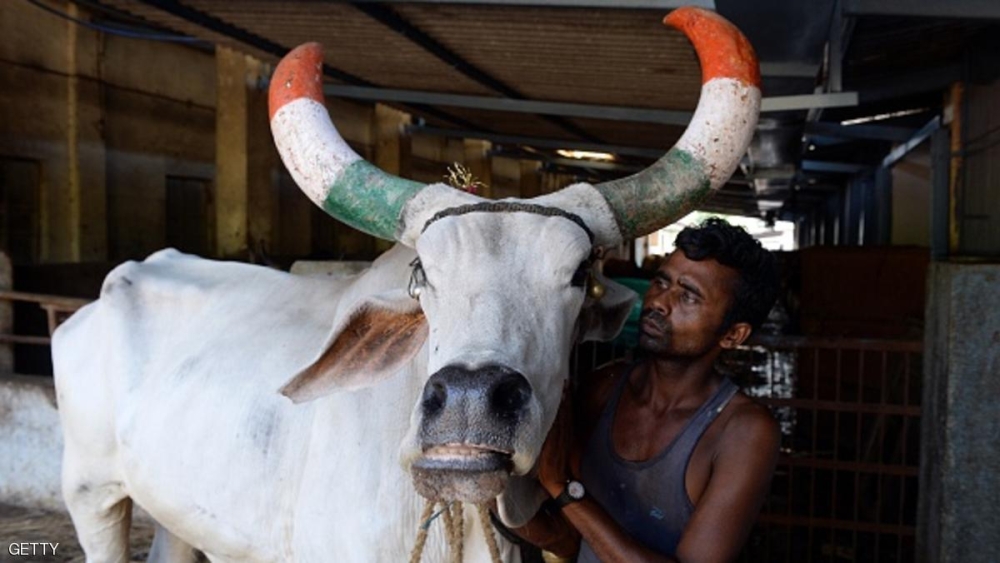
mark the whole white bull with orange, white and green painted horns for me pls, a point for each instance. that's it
(441, 373)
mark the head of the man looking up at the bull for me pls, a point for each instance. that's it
(713, 291)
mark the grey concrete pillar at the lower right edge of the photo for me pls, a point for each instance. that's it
(957, 518)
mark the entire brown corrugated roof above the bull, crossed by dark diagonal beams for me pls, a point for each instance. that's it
(606, 57)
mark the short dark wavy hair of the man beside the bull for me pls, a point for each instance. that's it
(757, 287)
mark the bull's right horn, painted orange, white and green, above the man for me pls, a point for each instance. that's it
(715, 140)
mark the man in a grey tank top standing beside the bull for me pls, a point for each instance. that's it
(670, 462)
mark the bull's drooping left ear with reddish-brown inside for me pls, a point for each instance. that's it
(374, 340)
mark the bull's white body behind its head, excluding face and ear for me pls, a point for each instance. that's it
(202, 439)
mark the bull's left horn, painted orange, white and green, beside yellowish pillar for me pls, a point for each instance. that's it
(325, 168)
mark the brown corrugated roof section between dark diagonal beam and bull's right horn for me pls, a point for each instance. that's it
(609, 57)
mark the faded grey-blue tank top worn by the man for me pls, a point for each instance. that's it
(647, 498)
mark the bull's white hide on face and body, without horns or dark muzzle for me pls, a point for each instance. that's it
(168, 390)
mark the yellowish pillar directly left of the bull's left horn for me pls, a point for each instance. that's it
(245, 197)
